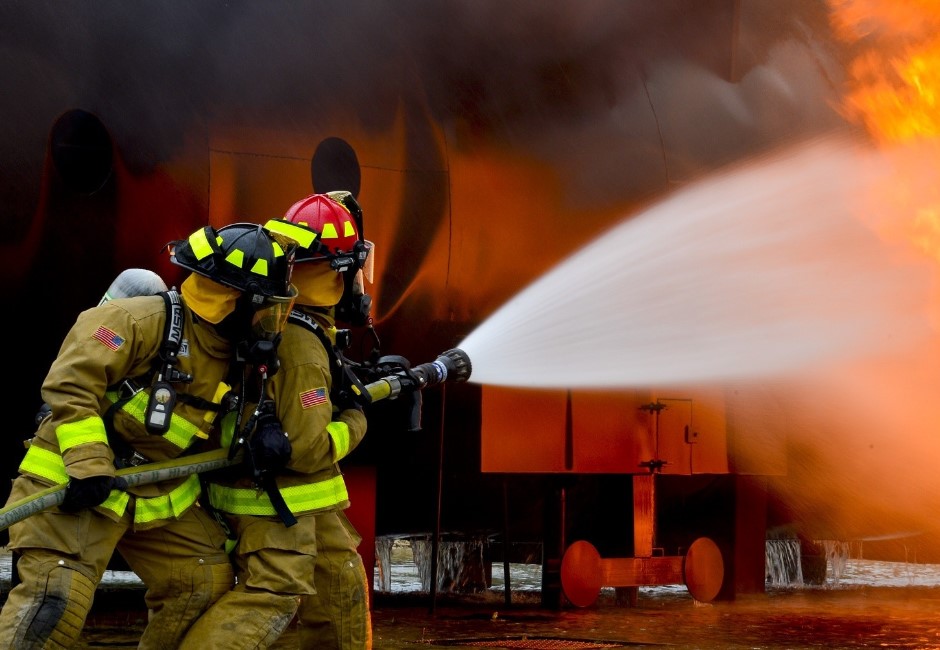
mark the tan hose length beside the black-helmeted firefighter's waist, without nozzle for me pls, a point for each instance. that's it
(141, 475)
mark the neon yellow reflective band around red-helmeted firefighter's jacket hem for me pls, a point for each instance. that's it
(299, 498)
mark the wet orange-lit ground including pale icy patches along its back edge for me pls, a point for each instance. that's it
(868, 605)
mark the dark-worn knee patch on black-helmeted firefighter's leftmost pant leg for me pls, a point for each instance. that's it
(58, 615)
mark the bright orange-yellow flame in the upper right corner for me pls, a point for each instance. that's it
(892, 91)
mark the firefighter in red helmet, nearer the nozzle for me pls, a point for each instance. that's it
(310, 551)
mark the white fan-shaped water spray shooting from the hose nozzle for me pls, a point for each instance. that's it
(766, 268)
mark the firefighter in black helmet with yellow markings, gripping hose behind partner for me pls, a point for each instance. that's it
(140, 380)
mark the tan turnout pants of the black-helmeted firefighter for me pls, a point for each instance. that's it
(62, 557)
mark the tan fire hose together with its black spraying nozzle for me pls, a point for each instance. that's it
(451, 366)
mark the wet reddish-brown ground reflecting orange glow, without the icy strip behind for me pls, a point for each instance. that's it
(853, 617)
